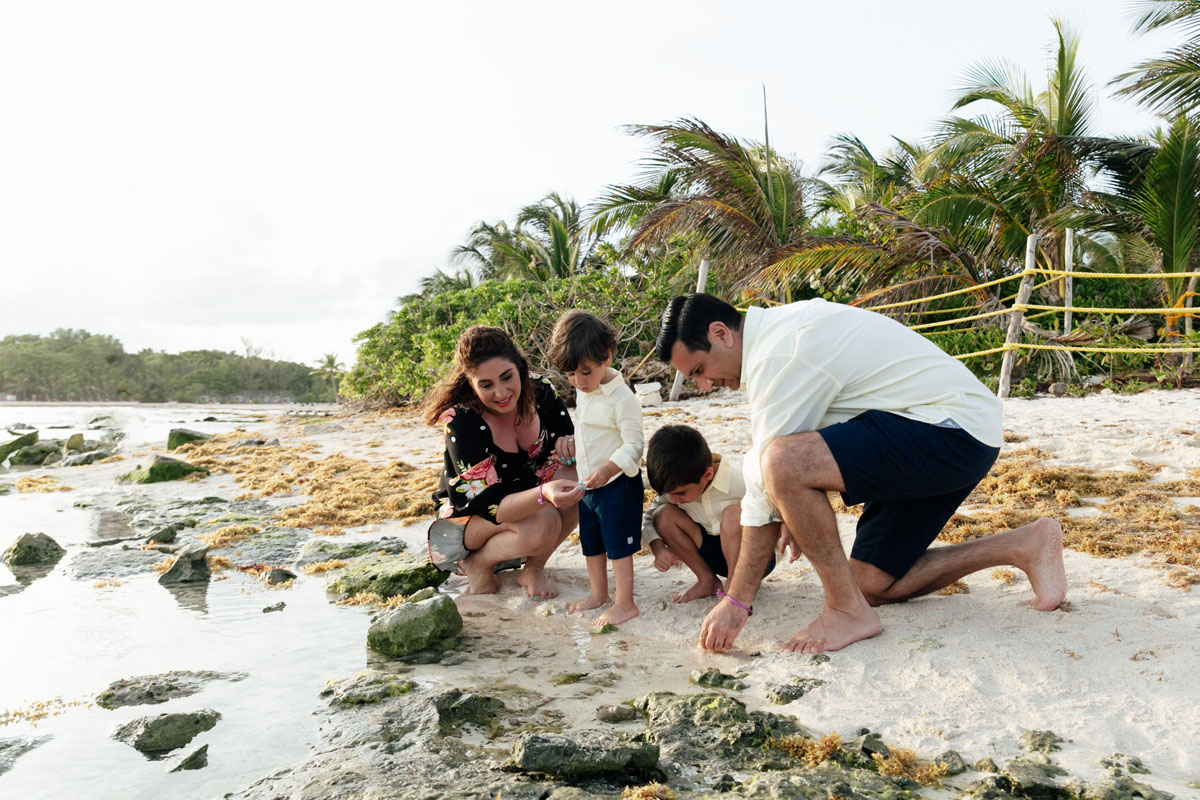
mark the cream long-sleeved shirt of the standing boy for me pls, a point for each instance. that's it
(609, 428)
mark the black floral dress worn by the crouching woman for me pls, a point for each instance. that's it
(477, 474)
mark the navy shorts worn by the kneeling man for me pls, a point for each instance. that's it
(911, 478)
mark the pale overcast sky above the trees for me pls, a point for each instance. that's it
(185, 176)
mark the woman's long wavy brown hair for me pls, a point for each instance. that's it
(477, 346)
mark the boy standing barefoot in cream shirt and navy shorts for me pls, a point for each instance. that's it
(608, 446)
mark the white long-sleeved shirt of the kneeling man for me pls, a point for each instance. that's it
(813, 364)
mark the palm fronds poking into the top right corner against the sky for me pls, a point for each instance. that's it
(1169, 85)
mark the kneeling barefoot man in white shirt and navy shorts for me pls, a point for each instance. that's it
(845, 400)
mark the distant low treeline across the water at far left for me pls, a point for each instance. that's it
(71, 365)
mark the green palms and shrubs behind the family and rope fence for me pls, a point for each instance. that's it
(1016, 157)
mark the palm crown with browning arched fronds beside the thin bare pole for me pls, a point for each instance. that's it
(740, 203)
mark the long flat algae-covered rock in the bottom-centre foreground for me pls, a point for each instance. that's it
(575, 757)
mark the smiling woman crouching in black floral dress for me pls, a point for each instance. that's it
(500, 502)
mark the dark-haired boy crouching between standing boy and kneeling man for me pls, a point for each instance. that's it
(697, 518)
